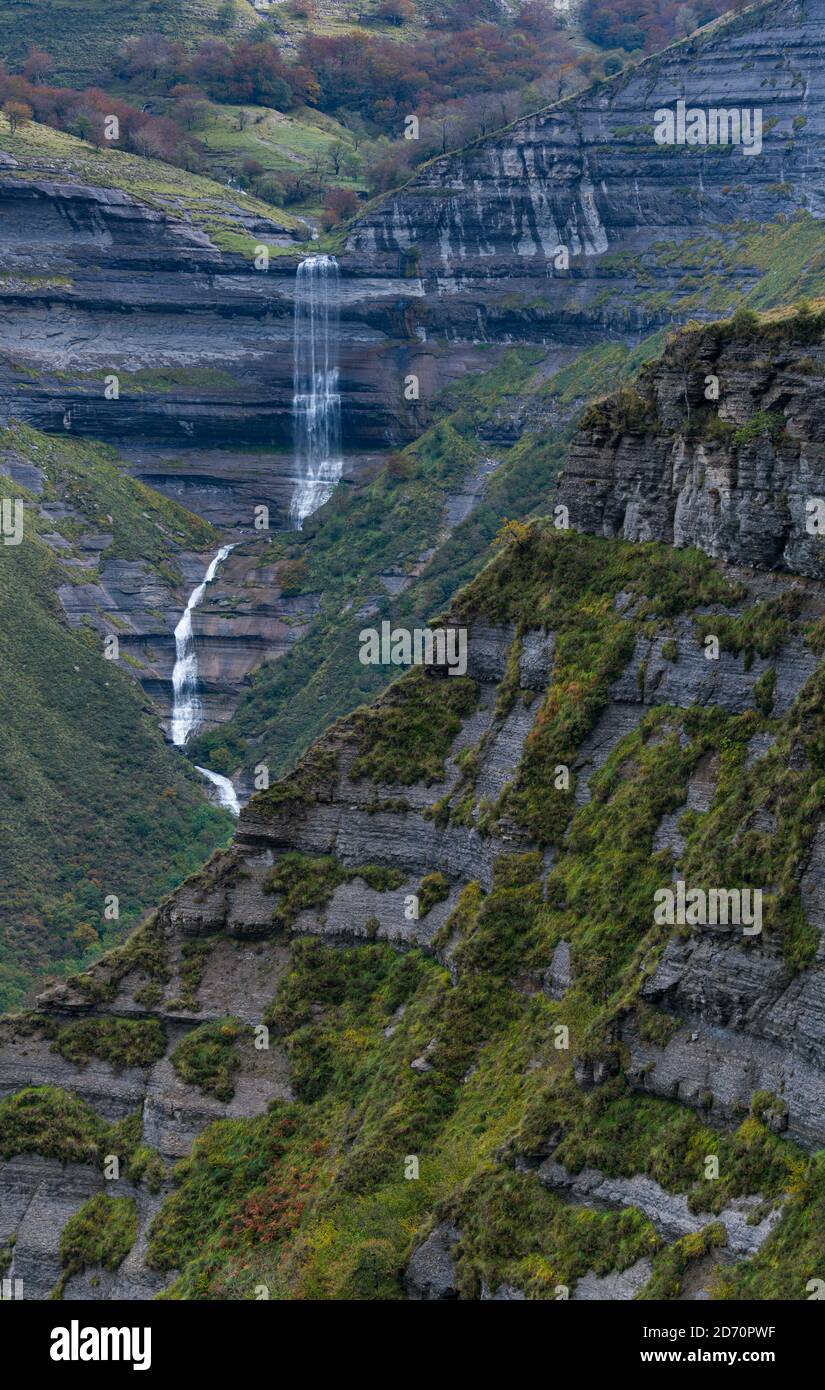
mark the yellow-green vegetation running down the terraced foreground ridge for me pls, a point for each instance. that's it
(331, 1213)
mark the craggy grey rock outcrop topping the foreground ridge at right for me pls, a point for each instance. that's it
(740, 476)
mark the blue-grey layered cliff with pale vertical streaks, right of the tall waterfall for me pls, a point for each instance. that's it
(484, 227)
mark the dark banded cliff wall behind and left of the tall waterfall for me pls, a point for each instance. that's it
(97, 283)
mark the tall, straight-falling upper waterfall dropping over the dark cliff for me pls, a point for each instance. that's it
(316, 402)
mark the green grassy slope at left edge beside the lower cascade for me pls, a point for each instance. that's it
(92, 801)
